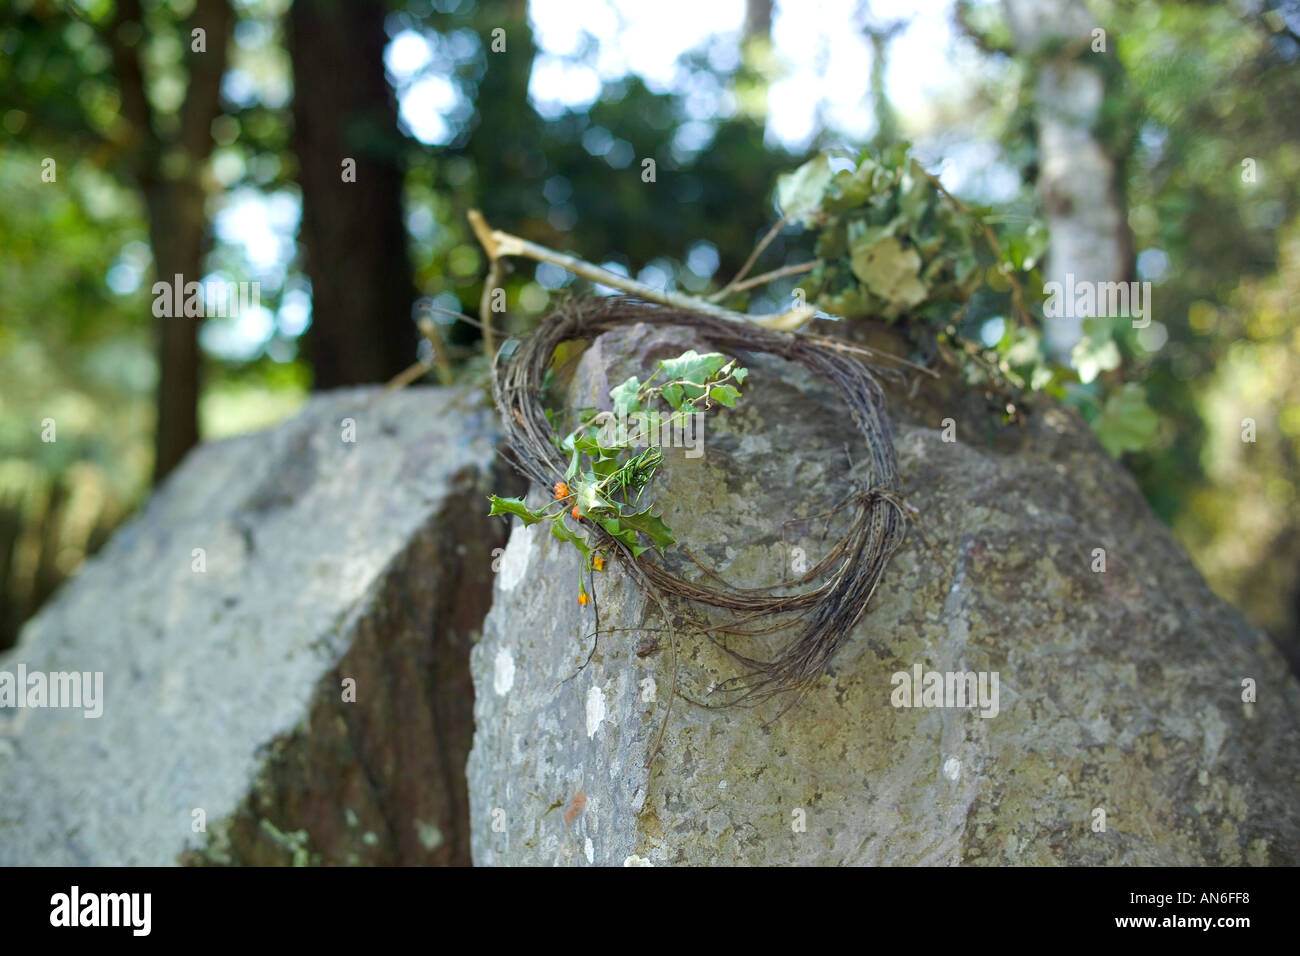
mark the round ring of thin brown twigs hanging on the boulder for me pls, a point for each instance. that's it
(848, 576)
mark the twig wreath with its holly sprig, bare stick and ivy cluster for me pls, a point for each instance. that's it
(891, 244)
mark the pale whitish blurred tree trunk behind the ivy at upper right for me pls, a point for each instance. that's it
(1081, 172)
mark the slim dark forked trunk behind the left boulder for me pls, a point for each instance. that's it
(170, 174)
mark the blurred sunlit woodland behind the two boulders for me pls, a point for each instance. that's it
(1168, 146)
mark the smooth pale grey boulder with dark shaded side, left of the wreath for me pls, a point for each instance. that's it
(324, 560)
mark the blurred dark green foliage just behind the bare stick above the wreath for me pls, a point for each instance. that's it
(573, 179)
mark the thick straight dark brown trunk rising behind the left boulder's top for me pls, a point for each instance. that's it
(354, 233)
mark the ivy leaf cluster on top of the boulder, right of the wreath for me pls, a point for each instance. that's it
(894, 245)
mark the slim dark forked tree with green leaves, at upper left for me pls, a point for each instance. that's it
(163, 153)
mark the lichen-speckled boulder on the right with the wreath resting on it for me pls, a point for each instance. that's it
(1124, 733)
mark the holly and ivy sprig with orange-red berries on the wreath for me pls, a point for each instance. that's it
(605, 479)
